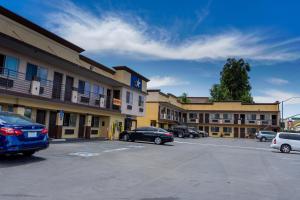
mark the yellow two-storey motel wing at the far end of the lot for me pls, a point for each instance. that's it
(219, 119)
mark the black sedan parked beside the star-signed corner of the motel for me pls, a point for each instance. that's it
(151, 134)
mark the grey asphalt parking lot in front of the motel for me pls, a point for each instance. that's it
(205, 168)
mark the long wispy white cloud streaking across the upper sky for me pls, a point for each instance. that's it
(131, 36)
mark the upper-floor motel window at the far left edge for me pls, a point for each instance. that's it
(9, 66)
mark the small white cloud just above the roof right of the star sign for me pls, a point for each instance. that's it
(163, 81)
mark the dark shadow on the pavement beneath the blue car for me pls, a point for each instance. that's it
(18, 159)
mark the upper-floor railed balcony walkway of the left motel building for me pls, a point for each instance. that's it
(15, 82)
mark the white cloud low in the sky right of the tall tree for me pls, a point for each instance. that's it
(274, 95)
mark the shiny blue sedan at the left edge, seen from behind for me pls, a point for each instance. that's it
(19, 134)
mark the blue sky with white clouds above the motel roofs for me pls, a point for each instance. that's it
(182, 46)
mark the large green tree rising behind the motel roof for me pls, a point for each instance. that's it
(234, 82)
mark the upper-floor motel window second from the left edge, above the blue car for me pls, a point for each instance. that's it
(36, 72)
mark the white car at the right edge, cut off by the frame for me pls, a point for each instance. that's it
(286, 142)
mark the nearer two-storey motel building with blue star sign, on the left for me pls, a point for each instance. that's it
(46, 78)
